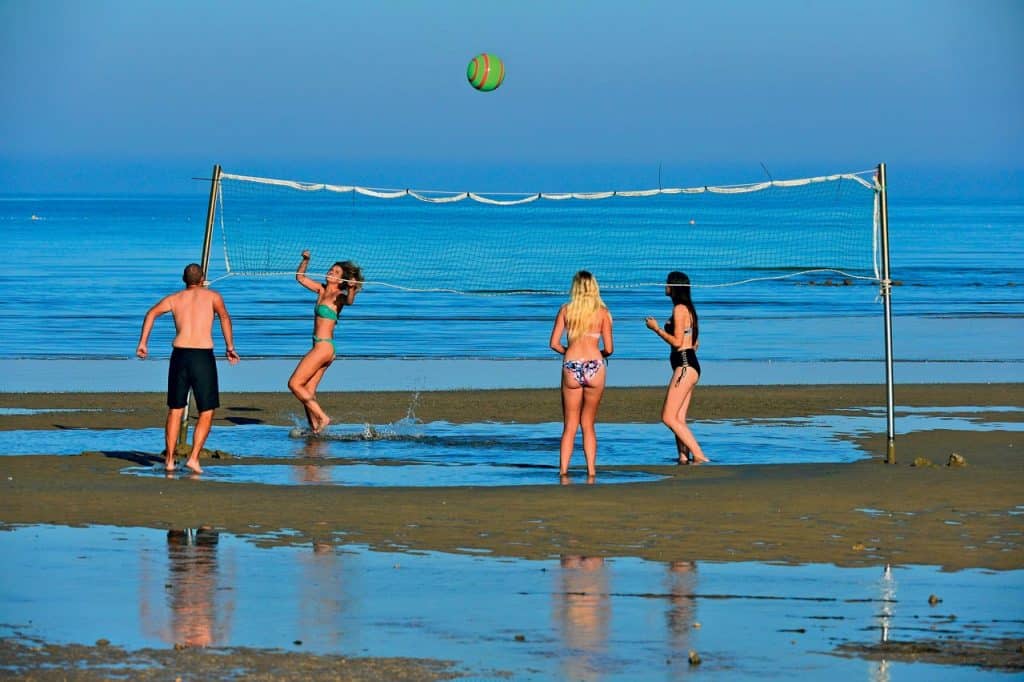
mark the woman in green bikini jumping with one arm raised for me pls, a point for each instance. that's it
(345, 281)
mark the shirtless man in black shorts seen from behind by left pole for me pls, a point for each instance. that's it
(193, 365)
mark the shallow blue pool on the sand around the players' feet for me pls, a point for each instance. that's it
(442, 454)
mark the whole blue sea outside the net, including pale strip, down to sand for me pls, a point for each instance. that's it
(80, 272)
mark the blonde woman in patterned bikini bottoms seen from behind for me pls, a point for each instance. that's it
(586, 323)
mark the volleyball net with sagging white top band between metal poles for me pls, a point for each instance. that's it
(474, 243)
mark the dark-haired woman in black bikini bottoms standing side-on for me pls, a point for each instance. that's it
(680, 333)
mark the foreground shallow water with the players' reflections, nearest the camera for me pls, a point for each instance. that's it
(568, 618)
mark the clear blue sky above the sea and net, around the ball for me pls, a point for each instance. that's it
(142, 96)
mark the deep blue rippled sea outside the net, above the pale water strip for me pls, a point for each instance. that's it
(79, 274)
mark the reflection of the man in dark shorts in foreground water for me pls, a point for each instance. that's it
(193, 565)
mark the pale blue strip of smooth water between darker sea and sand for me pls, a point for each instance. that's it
(349, 374)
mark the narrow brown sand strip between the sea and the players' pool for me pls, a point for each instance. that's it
(526, 406)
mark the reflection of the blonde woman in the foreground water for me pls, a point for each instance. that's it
(582, 612)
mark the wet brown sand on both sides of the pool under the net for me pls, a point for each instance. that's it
(863, 514)
